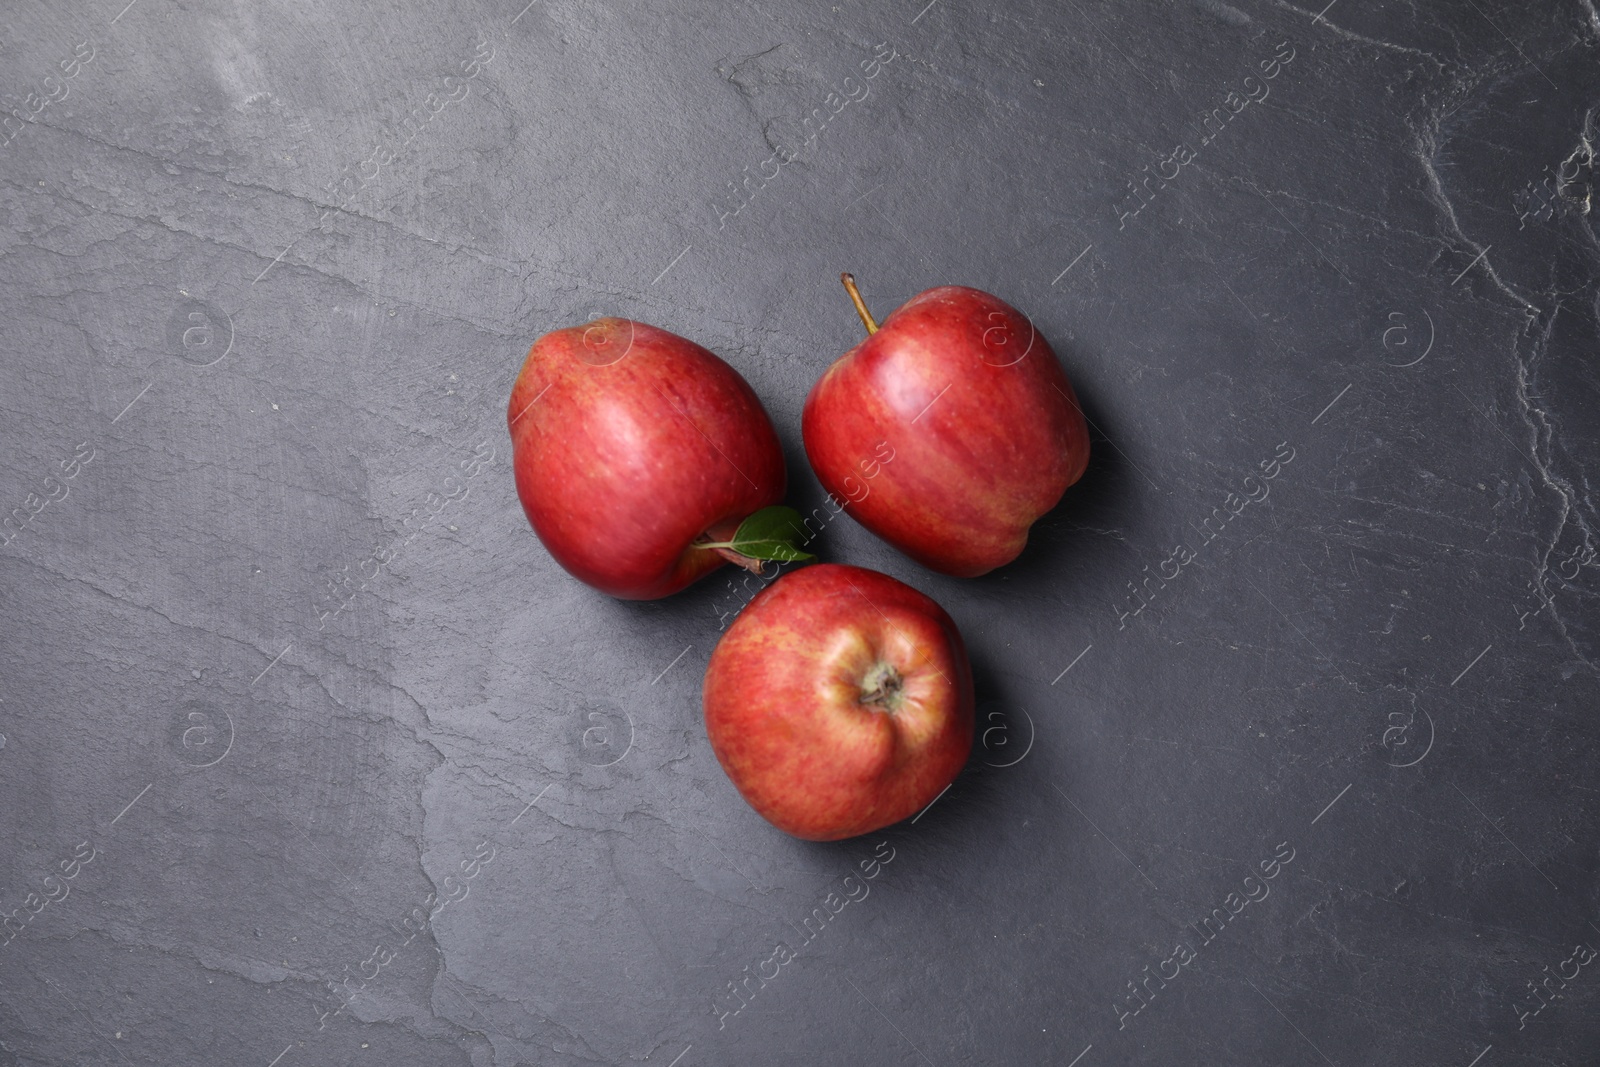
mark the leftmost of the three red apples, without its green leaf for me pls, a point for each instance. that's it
(633, 449)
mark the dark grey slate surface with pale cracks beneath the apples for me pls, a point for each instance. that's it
(244, 351)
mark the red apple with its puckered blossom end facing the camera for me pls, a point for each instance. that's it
(841, 701)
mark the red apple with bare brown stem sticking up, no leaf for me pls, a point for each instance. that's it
(983, 423)
